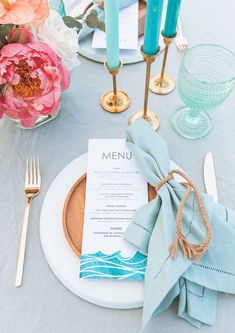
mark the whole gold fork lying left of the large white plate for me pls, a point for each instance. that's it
(32, 188)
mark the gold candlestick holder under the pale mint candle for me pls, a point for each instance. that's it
(114, 101)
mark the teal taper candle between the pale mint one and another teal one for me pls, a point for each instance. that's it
(152, 26)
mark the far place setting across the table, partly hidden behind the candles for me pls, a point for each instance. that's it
(131, 29)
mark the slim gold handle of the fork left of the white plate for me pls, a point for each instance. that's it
(20, 264)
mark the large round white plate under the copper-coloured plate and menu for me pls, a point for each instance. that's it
(64, 262)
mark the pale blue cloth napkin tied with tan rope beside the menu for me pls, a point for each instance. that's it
(153, 230)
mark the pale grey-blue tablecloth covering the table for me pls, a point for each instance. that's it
(43, 304)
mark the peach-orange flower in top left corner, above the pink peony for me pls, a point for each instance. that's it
(23, 11)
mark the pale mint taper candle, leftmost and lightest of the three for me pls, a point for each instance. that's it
(111, 9)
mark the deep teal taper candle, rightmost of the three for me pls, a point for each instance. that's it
(172, 14)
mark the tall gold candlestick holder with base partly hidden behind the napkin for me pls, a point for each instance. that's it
(151, 117)
